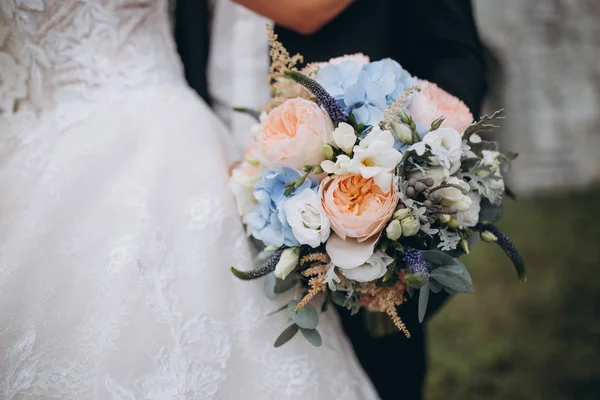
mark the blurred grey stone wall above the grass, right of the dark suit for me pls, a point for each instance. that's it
(548, 81)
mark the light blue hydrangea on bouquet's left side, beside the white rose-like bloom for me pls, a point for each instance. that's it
(267, 222)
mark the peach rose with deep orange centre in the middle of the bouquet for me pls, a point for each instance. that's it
(357, 207)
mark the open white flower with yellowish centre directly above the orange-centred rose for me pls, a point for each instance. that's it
(375, 157)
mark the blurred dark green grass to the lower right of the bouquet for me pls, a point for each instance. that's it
(534, 340)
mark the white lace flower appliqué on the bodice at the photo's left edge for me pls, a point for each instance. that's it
(13, 83)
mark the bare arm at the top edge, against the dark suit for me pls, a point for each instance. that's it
(303, 16)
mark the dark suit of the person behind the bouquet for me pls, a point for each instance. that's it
(433, 39)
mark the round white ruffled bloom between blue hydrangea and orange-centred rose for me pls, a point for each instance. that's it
(305, 215)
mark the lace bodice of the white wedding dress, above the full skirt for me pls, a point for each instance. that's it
(54, 53)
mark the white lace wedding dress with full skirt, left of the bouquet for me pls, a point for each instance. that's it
(117, 230)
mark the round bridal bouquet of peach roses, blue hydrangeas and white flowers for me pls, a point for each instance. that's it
(366, 184)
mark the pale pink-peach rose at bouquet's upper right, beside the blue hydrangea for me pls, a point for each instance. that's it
(433, 102)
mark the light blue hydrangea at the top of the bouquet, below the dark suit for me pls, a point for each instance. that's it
(365, 91)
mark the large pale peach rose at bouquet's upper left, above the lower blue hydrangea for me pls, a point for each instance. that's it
(292, 135)
